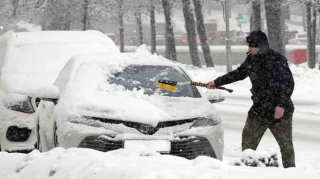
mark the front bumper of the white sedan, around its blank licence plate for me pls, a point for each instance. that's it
(189, 143)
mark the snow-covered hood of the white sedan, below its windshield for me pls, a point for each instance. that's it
(138, 107)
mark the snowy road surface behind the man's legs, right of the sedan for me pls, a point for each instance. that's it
(306, 125)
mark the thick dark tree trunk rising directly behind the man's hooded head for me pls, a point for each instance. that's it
(274, 26)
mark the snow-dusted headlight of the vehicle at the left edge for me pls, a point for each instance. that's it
(18, 102)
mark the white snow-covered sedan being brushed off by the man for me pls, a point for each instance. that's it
(111, 101)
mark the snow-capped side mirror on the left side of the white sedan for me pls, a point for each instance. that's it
(48, 93)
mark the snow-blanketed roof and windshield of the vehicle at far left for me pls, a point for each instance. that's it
(30, 60)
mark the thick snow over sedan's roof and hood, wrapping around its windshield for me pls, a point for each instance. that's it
(85, 90)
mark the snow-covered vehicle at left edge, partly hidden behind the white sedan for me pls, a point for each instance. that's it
(29, 60)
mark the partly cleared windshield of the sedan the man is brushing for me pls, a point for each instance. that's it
(147, 77)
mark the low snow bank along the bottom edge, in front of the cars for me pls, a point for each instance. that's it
(130, 164)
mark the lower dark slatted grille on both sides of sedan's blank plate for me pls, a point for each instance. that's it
(187, 147)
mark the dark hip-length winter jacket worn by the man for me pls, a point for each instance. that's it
(272, 83)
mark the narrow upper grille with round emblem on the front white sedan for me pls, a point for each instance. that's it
(145, 128)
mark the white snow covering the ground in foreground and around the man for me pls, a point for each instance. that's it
(130, 164)
